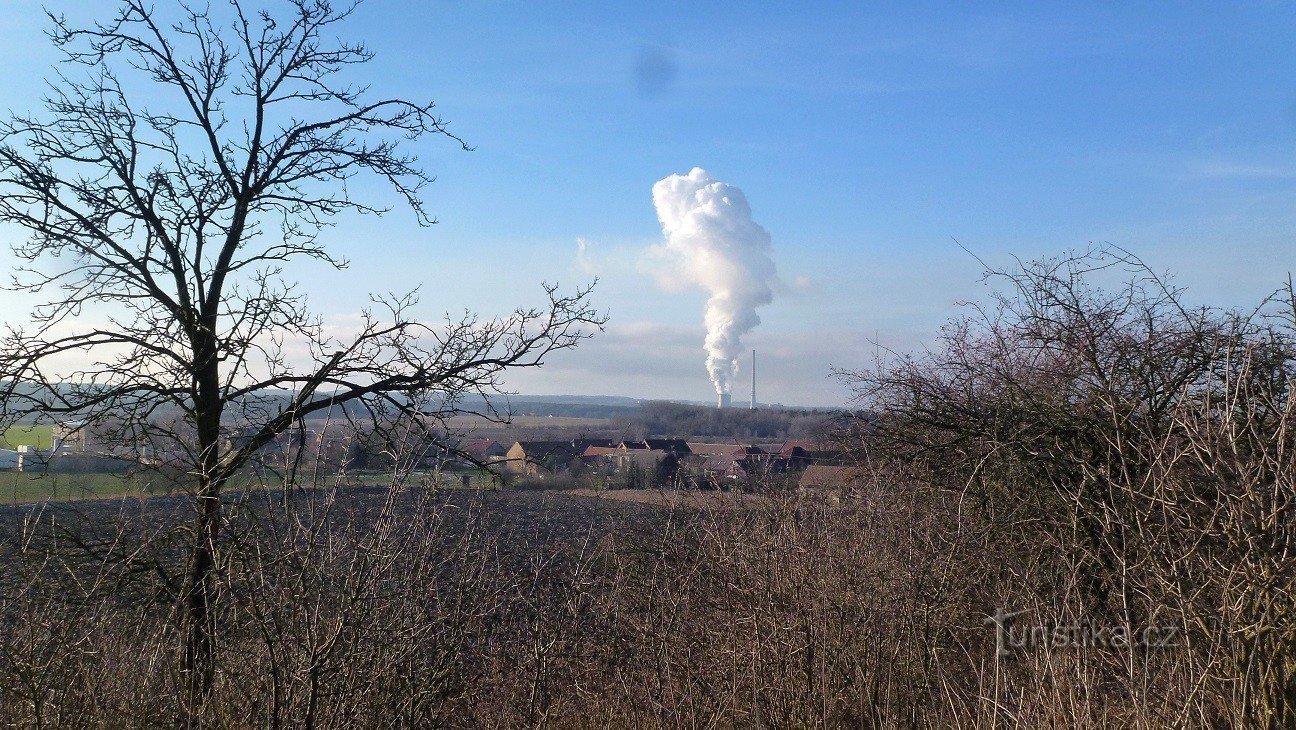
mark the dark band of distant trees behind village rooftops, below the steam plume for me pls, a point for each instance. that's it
(680, 419)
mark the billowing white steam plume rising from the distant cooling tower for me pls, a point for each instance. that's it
(713, 243)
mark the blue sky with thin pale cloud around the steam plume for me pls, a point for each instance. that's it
(868, 138)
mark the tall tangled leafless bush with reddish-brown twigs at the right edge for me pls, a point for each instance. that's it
(1129, 458)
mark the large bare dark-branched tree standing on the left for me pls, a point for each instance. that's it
(183, 160)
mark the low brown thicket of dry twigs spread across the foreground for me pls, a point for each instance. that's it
(410, 609)
